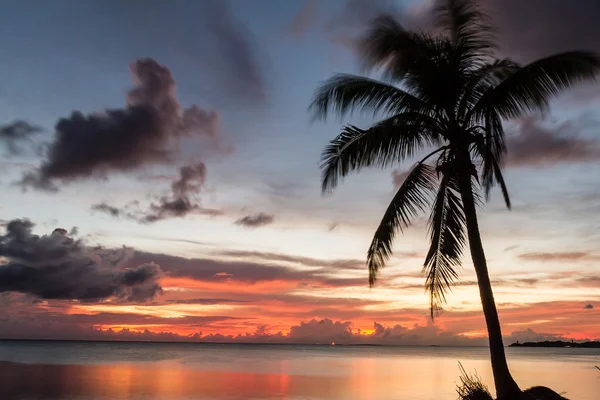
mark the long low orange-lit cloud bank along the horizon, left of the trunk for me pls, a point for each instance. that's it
(87, 326)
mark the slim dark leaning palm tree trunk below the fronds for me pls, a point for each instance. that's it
(506, 387)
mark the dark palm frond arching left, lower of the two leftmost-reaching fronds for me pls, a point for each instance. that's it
(387, 142)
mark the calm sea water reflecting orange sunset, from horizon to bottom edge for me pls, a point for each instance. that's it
(156, 371)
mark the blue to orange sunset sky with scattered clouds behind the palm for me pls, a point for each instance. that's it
(160, 179)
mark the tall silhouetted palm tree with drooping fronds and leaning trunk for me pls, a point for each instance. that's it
(447, 92)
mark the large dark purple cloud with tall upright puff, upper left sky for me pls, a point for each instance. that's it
(146, 131)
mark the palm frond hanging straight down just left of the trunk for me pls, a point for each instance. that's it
(446, 229)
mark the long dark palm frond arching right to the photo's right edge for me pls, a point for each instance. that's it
(533, 86)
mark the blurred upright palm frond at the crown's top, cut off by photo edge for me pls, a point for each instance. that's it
(467, 25)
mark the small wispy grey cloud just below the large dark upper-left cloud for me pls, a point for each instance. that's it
(182, 201)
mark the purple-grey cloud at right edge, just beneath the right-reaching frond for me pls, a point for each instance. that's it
(542, 144)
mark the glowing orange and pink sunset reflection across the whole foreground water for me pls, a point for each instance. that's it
(319, 378)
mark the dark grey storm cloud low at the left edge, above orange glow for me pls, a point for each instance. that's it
(57, 267)
